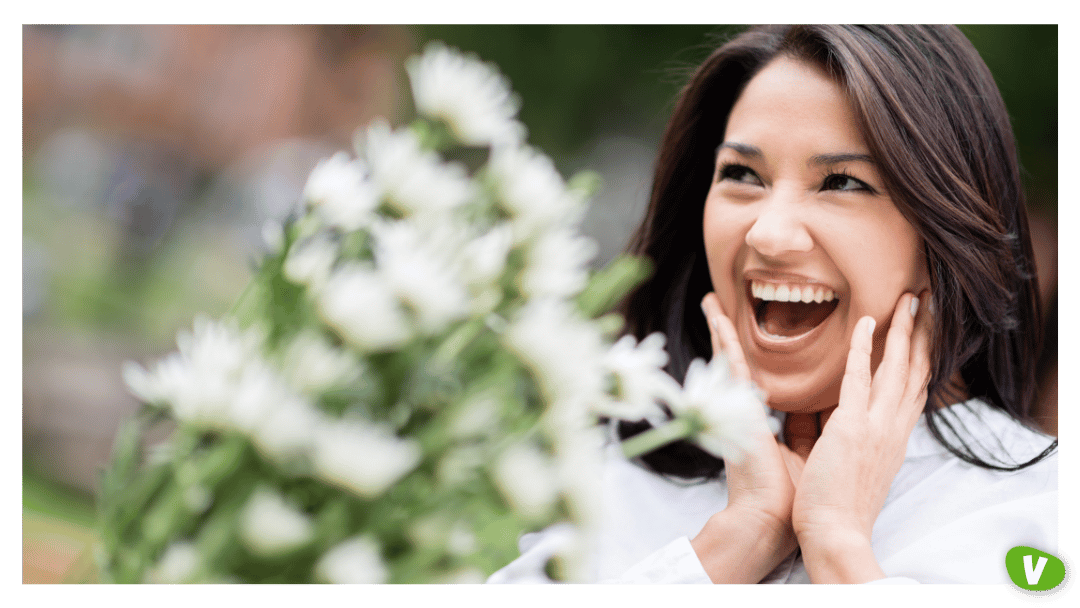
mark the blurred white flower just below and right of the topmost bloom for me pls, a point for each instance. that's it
(532, 191)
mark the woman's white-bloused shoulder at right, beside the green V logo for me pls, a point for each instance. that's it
(950, 521)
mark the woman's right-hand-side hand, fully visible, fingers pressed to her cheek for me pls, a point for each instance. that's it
(848, 474)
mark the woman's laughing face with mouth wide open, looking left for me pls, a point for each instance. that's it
(802, 238)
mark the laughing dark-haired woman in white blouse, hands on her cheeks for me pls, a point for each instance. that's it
(845, 205)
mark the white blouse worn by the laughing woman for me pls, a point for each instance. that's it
(944, 521)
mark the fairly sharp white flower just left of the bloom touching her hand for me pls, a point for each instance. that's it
(642, 381)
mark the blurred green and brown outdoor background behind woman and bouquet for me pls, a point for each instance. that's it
(154, 156)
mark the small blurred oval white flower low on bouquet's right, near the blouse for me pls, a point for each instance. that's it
(529, 479)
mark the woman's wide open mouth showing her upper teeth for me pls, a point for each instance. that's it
(791, 310)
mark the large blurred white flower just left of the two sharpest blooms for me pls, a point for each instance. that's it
(563, 349)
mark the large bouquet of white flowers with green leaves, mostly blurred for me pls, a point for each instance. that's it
(412, 381)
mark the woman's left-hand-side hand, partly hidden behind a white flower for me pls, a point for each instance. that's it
(746, 542)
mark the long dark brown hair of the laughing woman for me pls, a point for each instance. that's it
(935, 121)
